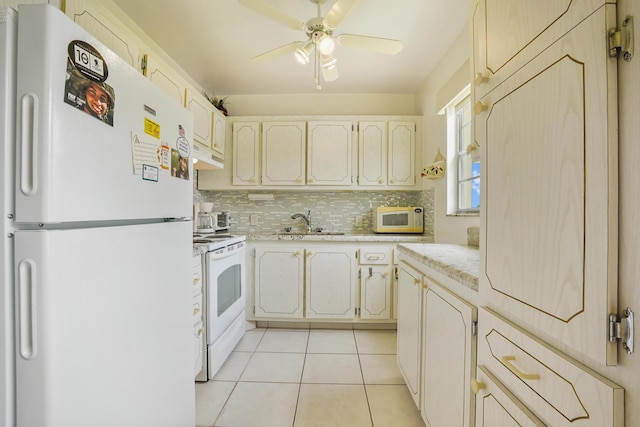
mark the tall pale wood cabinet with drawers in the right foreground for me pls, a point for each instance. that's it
(545, 99)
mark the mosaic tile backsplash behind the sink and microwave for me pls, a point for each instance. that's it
(344, 211)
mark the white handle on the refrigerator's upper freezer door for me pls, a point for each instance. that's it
(28, 142)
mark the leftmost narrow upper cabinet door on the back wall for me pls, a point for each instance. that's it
(246, 153)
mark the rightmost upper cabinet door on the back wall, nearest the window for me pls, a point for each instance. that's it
(402, 149)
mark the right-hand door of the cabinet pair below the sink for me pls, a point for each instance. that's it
(330, 283)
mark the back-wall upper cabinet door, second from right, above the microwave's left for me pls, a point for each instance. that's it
(372, 153)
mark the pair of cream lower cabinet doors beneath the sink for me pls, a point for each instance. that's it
(314, 282)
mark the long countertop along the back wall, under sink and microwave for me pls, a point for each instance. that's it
(368, 237)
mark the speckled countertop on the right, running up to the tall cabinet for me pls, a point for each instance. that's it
(459, 262)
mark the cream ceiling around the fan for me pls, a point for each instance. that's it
(214, 41)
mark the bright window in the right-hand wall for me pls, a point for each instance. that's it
(463, 182)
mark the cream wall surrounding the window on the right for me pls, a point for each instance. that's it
(438, 86)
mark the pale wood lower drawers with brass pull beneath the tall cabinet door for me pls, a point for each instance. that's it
(558, 390)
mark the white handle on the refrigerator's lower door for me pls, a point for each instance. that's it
(27, 319)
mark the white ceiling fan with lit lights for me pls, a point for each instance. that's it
(321, 40)
